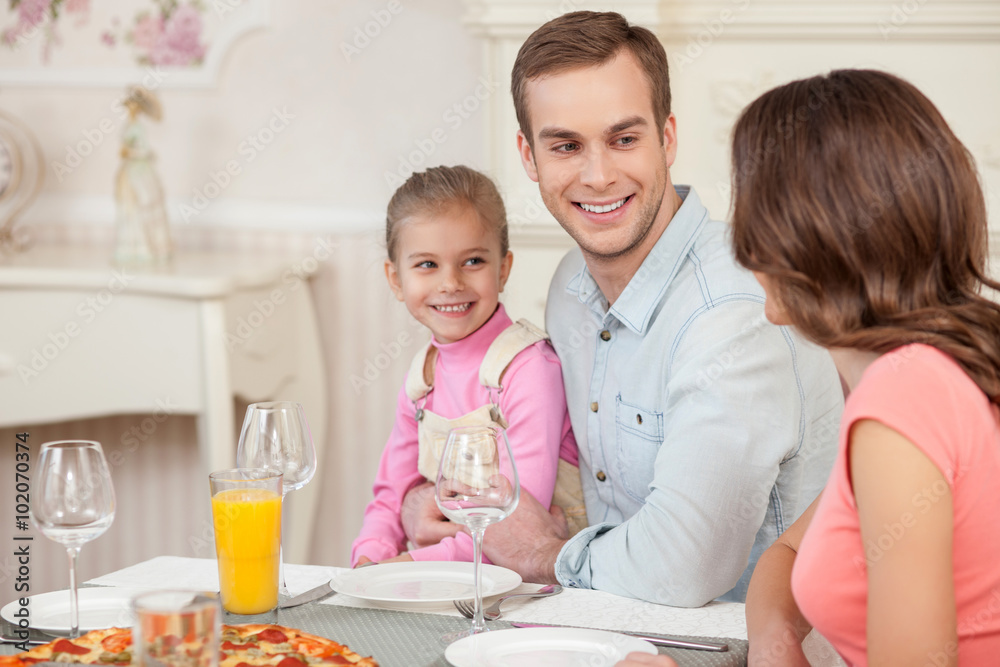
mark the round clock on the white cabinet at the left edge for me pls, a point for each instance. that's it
(22, 173)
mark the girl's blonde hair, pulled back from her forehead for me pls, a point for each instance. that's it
(440, 188)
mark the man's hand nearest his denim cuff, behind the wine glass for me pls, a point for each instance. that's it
(528, 541)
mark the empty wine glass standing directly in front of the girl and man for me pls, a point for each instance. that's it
(477, 485)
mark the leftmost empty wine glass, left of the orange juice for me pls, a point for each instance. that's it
(73, 502)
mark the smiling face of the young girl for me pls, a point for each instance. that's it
(448, 271)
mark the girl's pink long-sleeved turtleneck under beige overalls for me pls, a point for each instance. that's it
(533, 403)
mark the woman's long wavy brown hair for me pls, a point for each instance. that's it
(852, 193)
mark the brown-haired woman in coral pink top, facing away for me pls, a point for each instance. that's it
(861, 214)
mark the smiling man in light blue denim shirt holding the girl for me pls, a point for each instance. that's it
(704, 430)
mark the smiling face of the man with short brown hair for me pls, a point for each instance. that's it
(600, 161)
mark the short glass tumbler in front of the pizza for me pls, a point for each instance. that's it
(176, 628)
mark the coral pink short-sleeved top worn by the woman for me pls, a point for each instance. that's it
(921, 393)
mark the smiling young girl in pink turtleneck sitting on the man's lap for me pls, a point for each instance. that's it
(446, 234)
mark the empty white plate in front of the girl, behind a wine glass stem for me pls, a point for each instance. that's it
(429, 583)
